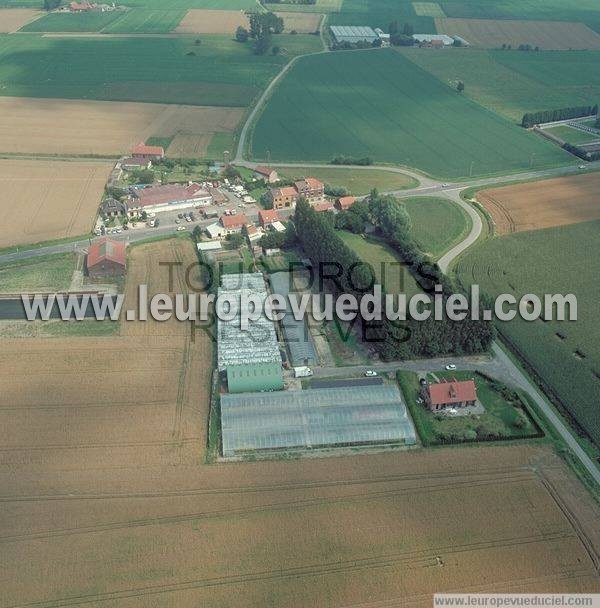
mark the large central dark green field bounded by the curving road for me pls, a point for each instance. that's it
(380, 104)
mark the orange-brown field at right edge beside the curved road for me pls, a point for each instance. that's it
(544, 204)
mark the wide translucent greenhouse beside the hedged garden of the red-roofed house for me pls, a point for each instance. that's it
(367, 415)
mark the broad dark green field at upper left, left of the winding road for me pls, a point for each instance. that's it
(218, 72)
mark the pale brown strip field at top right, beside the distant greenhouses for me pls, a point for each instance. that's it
(548, 35)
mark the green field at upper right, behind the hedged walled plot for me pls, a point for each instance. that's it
(509, 83)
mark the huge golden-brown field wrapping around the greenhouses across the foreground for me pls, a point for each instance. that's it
(106, 499)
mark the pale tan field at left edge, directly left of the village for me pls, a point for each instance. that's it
(46, 200)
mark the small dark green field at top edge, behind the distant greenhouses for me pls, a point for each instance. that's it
(380, 13)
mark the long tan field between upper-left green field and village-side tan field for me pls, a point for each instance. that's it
(71, 127)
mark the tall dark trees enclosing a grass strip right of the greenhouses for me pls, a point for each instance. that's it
(393, 340)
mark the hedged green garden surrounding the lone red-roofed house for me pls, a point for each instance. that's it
(504, 416)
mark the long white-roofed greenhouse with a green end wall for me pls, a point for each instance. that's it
(249, 358)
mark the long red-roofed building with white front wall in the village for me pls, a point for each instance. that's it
(169, 196)
